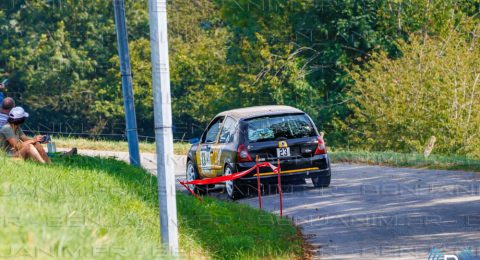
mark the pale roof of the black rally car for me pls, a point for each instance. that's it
(257, 111)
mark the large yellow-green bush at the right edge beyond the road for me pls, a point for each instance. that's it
(431, 91)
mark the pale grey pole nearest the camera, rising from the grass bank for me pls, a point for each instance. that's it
(163, 124)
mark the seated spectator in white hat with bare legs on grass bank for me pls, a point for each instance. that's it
(16, 143)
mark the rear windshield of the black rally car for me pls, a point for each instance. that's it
(277, 127)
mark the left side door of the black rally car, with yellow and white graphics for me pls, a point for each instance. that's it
(207, 152)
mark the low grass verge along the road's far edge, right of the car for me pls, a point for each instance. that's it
(407, 160)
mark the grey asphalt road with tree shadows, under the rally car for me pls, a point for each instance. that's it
(372, 212)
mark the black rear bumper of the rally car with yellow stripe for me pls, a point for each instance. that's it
(291, 169)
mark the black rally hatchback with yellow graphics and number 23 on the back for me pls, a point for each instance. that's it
(234, 138)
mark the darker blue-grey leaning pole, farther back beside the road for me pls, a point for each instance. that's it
(126, 72)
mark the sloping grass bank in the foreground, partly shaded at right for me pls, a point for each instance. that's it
(85, 207)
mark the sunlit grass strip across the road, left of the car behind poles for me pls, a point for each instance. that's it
(107, 145)
